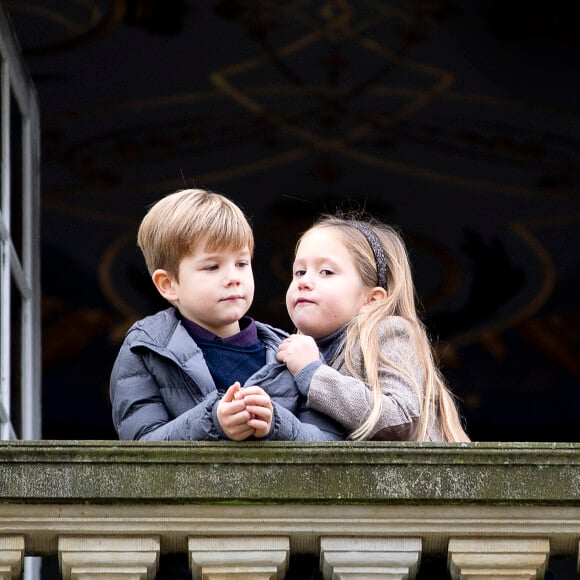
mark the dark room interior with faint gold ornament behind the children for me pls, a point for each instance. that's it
(456, 120)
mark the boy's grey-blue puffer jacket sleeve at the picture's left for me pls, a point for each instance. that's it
(139, 412)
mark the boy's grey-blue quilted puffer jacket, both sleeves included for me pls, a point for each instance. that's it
(162, 390)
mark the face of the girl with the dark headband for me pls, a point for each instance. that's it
(326, 291)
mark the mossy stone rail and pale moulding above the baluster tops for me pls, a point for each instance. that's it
(182, 492)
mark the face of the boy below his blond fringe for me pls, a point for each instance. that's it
(215, 289)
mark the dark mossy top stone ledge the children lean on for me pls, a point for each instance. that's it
(338, 473)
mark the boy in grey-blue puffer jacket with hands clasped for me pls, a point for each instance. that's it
(179, 372)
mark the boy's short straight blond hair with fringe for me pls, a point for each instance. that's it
(182, 222)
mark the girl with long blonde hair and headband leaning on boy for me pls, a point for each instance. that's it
(363, 356)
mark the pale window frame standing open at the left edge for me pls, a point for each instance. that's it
(19, 274)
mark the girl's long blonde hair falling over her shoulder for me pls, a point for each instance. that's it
(436, 399)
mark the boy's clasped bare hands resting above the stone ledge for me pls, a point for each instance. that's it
(245, 412)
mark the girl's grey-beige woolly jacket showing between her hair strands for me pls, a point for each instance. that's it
(349, 400)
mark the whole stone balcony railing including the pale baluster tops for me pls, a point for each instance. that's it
(367, 510)
